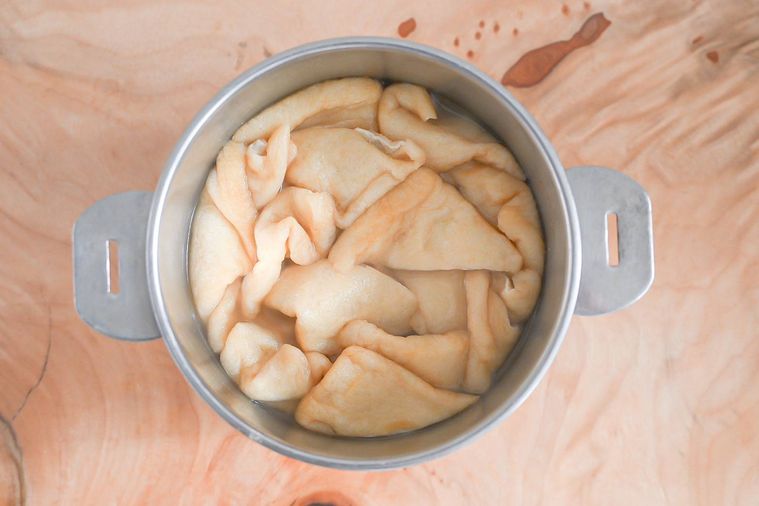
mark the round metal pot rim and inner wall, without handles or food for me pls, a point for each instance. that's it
(276, 78)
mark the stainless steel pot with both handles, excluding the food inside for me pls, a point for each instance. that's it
(152, 232)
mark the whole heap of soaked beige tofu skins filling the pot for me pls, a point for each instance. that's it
(362, 260)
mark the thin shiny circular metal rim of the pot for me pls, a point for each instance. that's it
(570, 289)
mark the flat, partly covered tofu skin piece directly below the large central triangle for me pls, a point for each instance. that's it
(441, 299)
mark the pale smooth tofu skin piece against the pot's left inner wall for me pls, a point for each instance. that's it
(217, 256)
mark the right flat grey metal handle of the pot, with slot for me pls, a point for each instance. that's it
(599, 192)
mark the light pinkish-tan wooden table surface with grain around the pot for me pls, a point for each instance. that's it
(657, 404)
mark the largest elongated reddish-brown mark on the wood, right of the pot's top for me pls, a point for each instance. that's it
(535, 65)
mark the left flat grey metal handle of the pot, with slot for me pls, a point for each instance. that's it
(110, 279)
